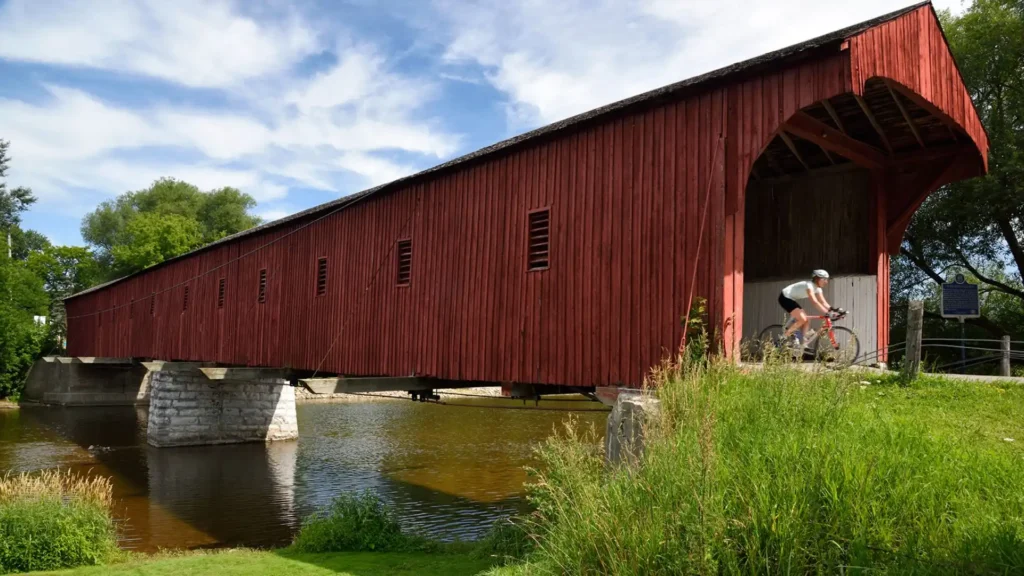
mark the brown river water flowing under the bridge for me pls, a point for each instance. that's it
(450, 472)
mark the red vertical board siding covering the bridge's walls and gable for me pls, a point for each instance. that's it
(626, 193)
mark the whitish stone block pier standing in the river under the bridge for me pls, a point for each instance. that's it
(187, 408)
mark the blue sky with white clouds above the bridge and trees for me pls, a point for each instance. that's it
(298, 103)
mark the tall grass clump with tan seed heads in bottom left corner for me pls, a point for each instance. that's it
(55, 520)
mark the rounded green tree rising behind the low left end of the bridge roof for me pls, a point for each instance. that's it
(144, 228)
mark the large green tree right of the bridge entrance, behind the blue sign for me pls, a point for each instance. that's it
(977, 227)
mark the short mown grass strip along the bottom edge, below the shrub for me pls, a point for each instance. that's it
(254, 563)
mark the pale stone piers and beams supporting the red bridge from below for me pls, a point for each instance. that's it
(194, 403)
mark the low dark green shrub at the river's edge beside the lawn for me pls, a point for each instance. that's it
(353, 523)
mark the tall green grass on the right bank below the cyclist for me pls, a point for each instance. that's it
(787, 473)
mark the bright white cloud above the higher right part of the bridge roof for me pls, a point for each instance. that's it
(558, 60)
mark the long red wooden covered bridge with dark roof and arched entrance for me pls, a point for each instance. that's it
(568, 256)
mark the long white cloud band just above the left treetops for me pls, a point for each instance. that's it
(73, 140)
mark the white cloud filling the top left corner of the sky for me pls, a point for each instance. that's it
(192, 43)
